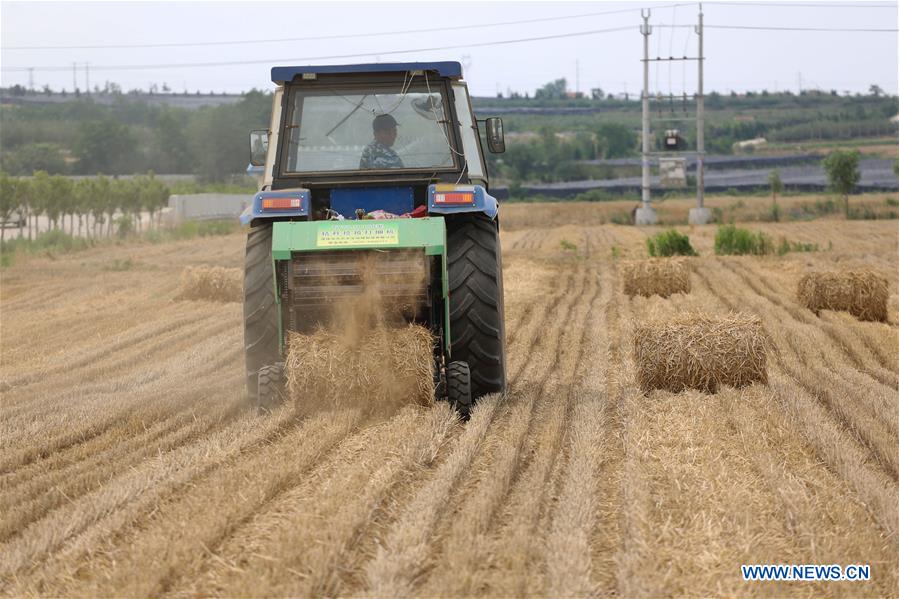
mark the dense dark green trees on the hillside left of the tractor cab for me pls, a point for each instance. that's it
(83, 137)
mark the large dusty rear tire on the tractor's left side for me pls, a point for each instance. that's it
(260, 312)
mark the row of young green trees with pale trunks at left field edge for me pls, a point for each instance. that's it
(87, 207)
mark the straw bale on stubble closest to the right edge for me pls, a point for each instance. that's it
(862, 292)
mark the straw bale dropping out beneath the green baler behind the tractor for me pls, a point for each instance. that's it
(377, 367)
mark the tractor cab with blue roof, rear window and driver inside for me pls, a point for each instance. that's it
(368, 138)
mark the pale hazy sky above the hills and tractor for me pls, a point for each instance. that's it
(736, 59)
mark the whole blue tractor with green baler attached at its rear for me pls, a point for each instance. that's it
(378, 165)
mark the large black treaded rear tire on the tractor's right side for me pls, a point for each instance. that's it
(477, 327)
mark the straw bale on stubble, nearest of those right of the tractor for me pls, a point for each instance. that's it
(695, 351)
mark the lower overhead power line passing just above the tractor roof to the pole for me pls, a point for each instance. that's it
(332, 57)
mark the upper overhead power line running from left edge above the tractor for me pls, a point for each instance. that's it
(336, 37)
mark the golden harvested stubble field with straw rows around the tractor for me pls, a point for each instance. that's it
(129, 468)
